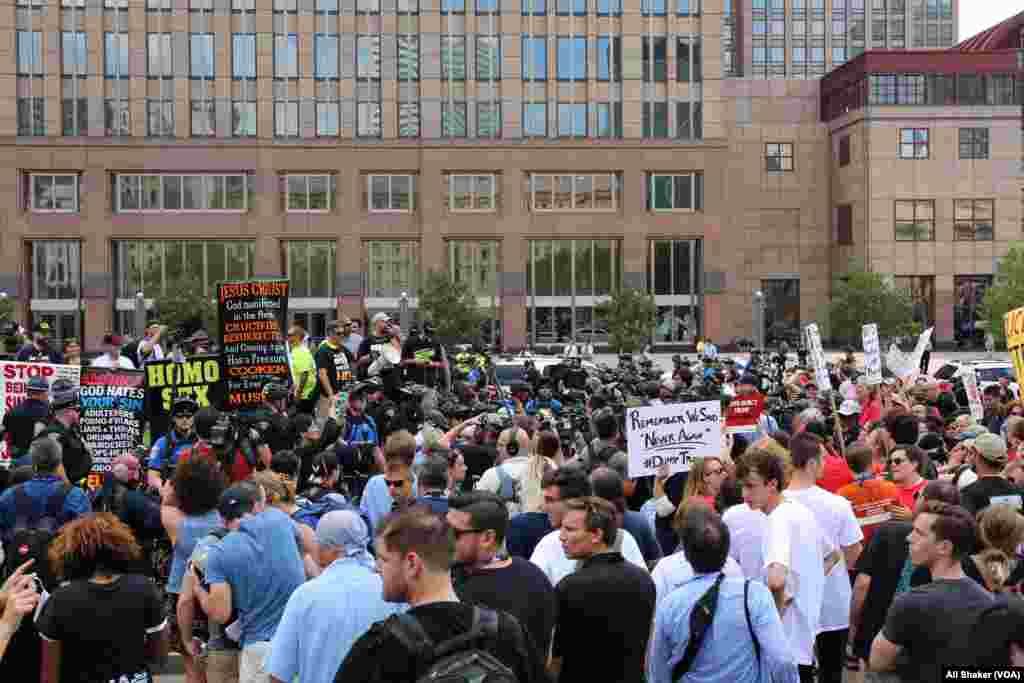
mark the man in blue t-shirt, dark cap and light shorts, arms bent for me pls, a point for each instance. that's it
(253, 572)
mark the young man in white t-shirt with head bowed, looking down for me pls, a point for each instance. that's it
(795, 552)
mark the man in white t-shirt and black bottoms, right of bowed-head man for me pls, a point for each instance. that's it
(835, 517)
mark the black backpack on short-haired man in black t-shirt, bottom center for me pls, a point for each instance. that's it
(459, 660)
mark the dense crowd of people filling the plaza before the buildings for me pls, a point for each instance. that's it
(342, 535)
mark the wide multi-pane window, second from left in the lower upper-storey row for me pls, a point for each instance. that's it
(152, 193)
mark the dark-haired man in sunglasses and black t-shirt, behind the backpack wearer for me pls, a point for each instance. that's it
(480, 521)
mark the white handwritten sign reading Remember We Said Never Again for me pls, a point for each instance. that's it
(675, 435)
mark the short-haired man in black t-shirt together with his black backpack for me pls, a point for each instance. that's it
(439, 636)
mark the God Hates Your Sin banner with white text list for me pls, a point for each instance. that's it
(113, 404)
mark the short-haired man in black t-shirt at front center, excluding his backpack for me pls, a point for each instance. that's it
(414, 561)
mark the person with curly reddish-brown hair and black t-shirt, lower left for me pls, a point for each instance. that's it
(105, 624)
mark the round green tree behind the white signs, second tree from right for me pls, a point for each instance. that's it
(870, 297)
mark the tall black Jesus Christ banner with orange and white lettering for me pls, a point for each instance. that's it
(254, 352)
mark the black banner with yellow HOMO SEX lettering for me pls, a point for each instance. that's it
(198, 377)
